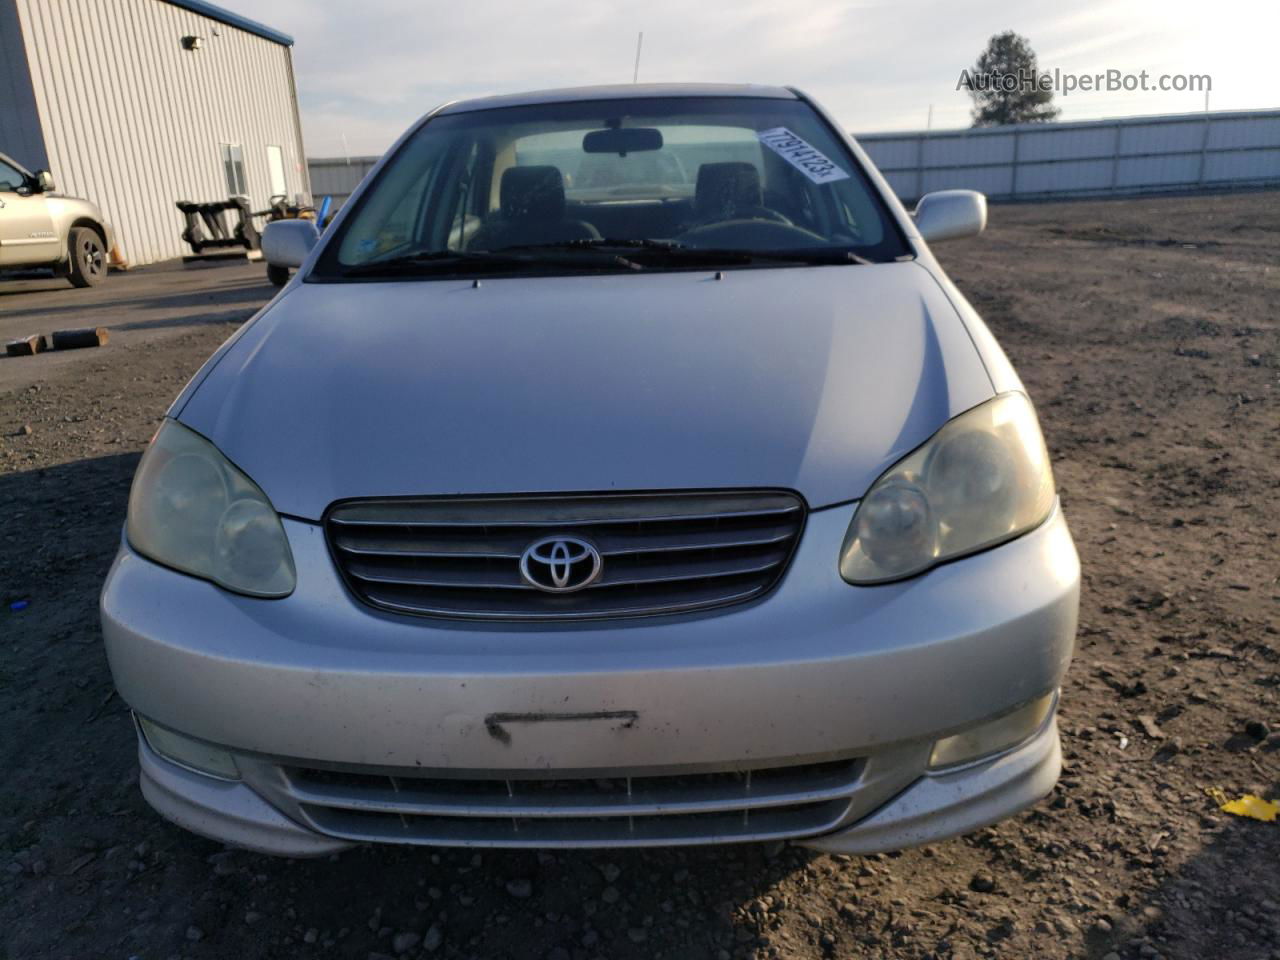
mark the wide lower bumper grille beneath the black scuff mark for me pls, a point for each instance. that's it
(784, 802)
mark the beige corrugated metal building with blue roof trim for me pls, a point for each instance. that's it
(140, 104)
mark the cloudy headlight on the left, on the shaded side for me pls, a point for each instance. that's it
(193, 510)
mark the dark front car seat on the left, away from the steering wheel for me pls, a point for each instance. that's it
(533, 212)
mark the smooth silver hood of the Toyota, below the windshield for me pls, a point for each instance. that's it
(813, 380)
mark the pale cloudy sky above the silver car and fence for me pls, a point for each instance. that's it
(368, 68)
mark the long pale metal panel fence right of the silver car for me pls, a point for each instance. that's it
(1094, 158)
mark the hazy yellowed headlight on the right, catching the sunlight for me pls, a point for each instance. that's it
(982, 479)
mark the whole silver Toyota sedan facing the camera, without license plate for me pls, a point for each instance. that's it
(620, 468)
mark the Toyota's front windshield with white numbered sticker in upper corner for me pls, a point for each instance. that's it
(616, 185)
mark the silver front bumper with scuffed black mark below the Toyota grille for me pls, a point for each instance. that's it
(815, 674)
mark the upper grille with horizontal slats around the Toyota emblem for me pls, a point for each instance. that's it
(661, 554)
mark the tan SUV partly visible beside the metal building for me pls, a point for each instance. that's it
(42, 228)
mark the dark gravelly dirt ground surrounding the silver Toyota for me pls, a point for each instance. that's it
(1148, 332)
